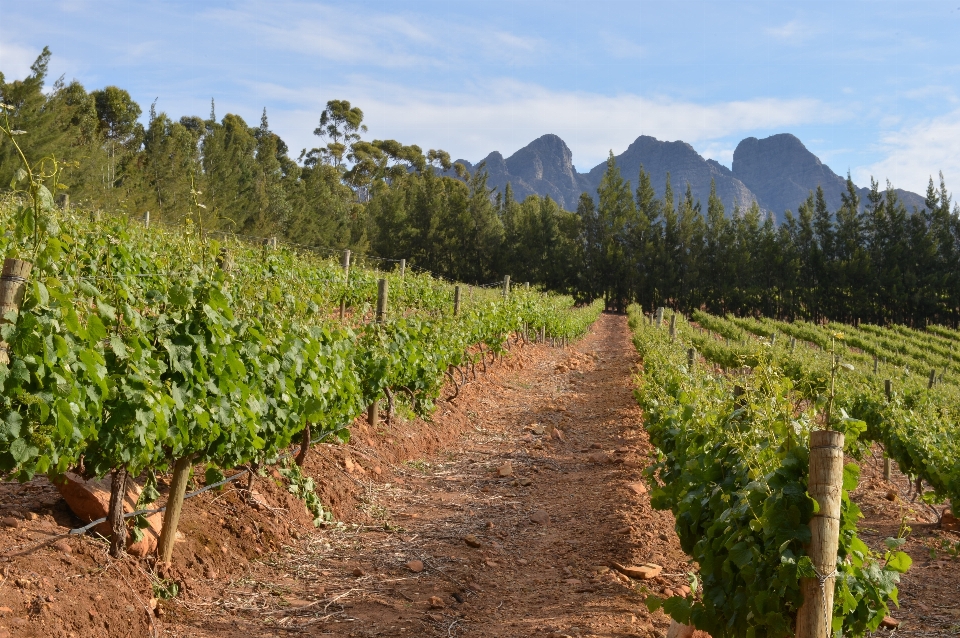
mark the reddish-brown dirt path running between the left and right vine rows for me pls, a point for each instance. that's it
(516, 555)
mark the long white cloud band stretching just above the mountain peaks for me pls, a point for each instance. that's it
(507, 115)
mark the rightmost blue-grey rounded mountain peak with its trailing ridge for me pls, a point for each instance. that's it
(781, 172)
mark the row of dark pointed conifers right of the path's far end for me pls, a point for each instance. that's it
(867, 261)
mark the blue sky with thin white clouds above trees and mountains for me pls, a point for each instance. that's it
(872, 88)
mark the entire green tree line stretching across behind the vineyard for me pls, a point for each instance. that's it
(869, 260)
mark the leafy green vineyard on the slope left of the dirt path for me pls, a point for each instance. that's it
(134, 350)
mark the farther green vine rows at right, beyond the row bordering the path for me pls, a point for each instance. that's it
(917, 426)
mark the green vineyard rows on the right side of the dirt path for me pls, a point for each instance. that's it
(731, 403)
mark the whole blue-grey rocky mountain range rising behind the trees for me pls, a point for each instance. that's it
(777, 172)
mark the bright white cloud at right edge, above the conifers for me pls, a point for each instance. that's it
(917, 152)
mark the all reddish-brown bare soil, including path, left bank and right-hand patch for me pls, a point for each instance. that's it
(479, 522)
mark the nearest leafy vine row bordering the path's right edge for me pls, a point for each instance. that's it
(732, 466)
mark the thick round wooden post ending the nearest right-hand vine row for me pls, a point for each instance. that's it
(825, 485)
